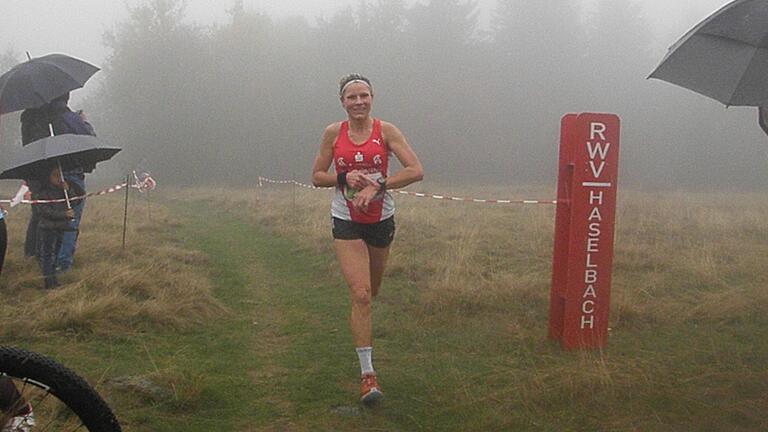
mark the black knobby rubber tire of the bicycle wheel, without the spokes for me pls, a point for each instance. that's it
(51, 378)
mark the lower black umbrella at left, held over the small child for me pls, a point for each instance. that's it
(67, 150)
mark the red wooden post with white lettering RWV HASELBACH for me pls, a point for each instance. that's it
(584, 224)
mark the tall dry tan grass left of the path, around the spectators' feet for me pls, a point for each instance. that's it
(154, 282)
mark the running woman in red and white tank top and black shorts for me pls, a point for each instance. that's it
(362, 211)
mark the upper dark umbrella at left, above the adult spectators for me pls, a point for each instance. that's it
(39, 80)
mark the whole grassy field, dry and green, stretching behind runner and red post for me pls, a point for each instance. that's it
(226, 312)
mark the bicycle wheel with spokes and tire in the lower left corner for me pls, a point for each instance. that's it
(59, 398)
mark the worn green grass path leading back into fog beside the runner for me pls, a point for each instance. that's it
(284, 352)
